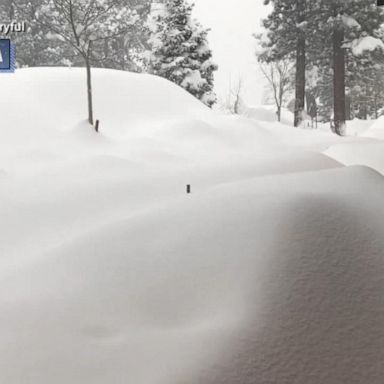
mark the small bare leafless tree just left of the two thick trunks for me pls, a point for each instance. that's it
(278, 75)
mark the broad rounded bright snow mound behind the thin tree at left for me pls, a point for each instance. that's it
(55, 98)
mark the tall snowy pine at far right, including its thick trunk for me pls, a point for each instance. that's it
(341, 25)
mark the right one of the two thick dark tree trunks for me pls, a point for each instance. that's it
(338, 79)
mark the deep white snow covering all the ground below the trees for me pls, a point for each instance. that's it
(271, 271)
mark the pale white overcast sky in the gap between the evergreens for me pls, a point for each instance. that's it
(232, 23)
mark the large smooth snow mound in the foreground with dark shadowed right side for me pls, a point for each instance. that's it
(243, 283)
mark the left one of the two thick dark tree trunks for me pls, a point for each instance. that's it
(300, 80)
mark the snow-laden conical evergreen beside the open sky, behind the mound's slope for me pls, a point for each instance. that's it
(180, 50)
